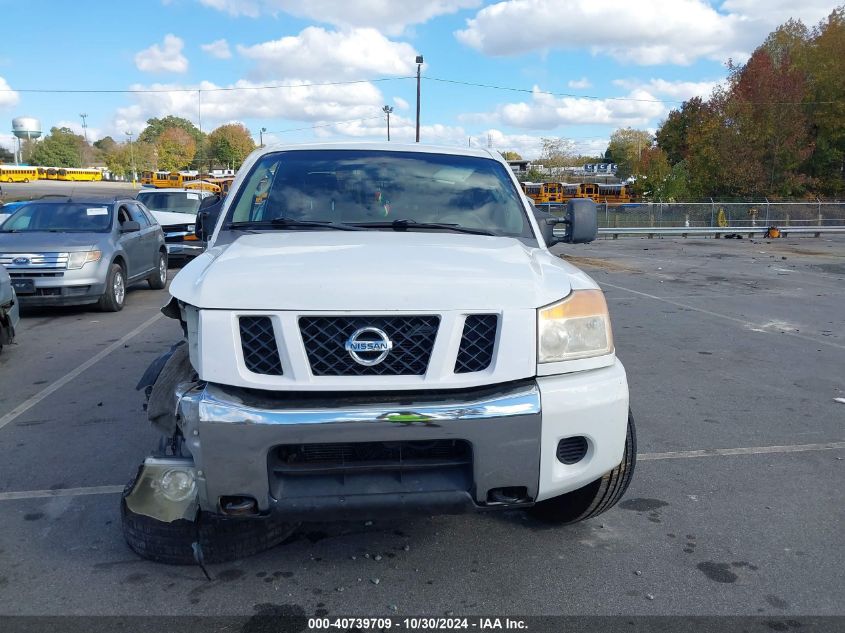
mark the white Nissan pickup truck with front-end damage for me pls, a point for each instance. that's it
(375, 329)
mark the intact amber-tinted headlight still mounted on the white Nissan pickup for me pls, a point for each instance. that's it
(576, 327)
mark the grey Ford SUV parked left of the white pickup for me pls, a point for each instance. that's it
(82, 251)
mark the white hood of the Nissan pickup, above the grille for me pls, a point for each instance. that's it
(375, 271)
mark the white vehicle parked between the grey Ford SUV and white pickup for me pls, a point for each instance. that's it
(176, 210)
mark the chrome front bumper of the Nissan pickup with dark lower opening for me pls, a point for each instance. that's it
(353, 455)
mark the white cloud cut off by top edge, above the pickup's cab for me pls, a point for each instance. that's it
(389, 17)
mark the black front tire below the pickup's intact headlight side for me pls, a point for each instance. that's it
(597, 496)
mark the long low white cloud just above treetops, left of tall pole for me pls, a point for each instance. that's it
(303, 102)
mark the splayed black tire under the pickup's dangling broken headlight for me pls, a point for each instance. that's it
(223, 539)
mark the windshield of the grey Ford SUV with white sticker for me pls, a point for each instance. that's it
(60, 218)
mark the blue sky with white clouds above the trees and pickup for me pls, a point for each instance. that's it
(310, 70)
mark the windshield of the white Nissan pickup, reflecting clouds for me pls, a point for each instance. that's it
(370, 187)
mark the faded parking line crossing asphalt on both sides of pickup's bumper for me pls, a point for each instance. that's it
(710, 452)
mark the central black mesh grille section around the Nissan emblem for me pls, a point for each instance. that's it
(412, 337)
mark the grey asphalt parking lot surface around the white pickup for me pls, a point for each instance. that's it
(735, 352)
